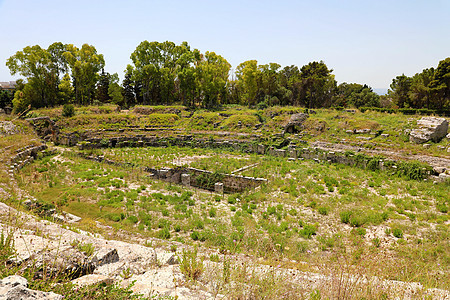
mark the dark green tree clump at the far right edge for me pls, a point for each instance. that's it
(428, 89)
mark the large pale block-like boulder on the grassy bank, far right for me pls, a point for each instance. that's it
(430, 129)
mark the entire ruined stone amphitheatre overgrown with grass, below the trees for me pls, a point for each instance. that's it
(163, 202)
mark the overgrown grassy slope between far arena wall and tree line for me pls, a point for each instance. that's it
(334, 123)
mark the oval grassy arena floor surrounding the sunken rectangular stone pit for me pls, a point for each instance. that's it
(307, 211)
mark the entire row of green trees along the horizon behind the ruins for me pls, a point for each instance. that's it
(166, 73)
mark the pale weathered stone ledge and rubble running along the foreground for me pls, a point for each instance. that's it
(154, 271)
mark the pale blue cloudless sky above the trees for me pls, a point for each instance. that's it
(364, 41)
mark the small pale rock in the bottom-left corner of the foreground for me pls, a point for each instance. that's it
(16, 288)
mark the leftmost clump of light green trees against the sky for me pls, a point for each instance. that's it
(47, 72)
